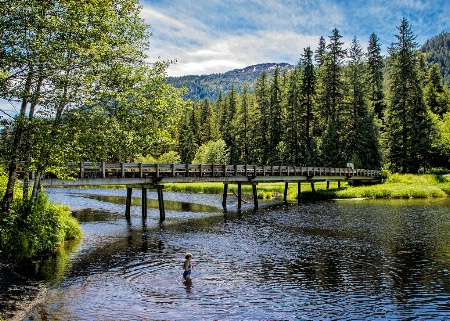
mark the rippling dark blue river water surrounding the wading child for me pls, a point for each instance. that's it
(344, 260)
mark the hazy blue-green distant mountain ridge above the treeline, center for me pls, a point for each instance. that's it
(209, 86)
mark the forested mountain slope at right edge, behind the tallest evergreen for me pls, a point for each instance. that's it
(437, 50)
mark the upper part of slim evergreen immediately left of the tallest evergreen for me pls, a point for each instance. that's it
(375, 75)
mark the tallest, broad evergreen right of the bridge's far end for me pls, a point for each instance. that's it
(408, 125)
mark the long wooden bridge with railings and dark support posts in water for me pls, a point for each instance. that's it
(153, 176)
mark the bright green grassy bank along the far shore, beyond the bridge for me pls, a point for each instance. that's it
(396, 186)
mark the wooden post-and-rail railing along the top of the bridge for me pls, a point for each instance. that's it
(139, 170)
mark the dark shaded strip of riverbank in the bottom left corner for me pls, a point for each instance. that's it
(19, 294)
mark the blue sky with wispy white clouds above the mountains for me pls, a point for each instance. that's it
(214, 36)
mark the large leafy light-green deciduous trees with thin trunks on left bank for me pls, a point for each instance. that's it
(79, 72)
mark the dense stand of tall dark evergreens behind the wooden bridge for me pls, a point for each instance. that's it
(350, 106)
